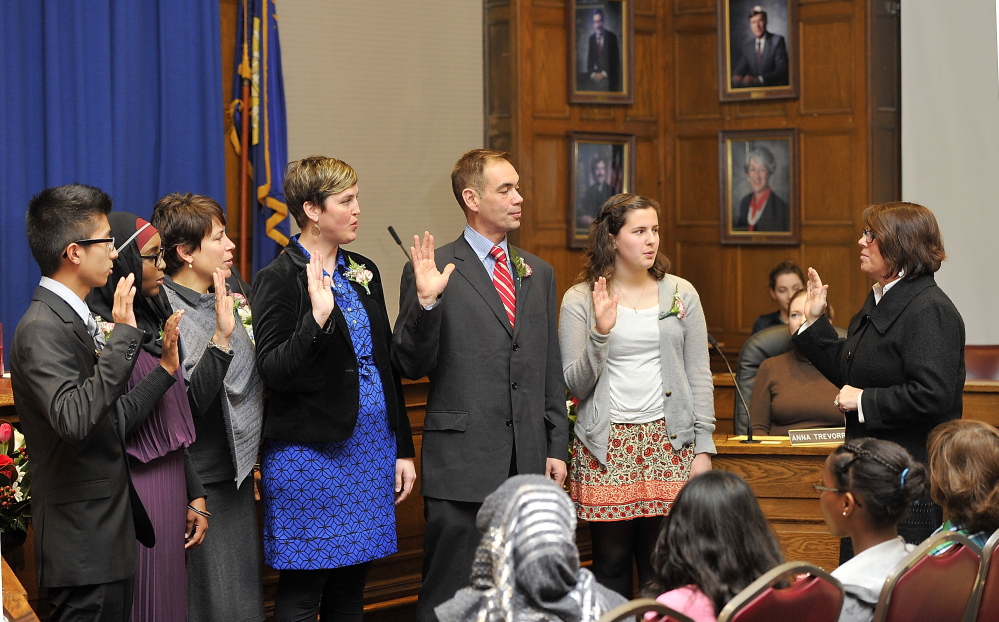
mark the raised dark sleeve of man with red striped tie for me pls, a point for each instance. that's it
(416, 339)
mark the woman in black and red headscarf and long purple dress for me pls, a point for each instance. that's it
(162, 472)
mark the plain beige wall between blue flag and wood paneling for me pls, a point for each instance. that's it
(395, 89)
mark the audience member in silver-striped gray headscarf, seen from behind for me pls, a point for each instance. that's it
(527, 565)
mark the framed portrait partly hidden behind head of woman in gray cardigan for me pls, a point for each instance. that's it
(600, 165)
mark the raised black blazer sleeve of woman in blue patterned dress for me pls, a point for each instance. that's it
(287, 338)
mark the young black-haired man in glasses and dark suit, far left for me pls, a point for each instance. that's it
(67, 381)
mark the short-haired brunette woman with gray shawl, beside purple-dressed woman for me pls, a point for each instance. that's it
(224, 578)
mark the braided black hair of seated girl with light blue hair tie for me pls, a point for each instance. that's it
(882, 476)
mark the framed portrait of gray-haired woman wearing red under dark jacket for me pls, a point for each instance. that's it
(758, 199)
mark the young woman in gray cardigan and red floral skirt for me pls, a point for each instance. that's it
(635, 354)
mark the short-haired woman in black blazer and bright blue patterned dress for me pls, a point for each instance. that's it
(337, 441)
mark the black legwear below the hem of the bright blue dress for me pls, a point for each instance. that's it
(335, 595)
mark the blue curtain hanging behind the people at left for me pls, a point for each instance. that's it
(125, 96)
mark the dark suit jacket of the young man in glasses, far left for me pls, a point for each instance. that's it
(73, 416)
